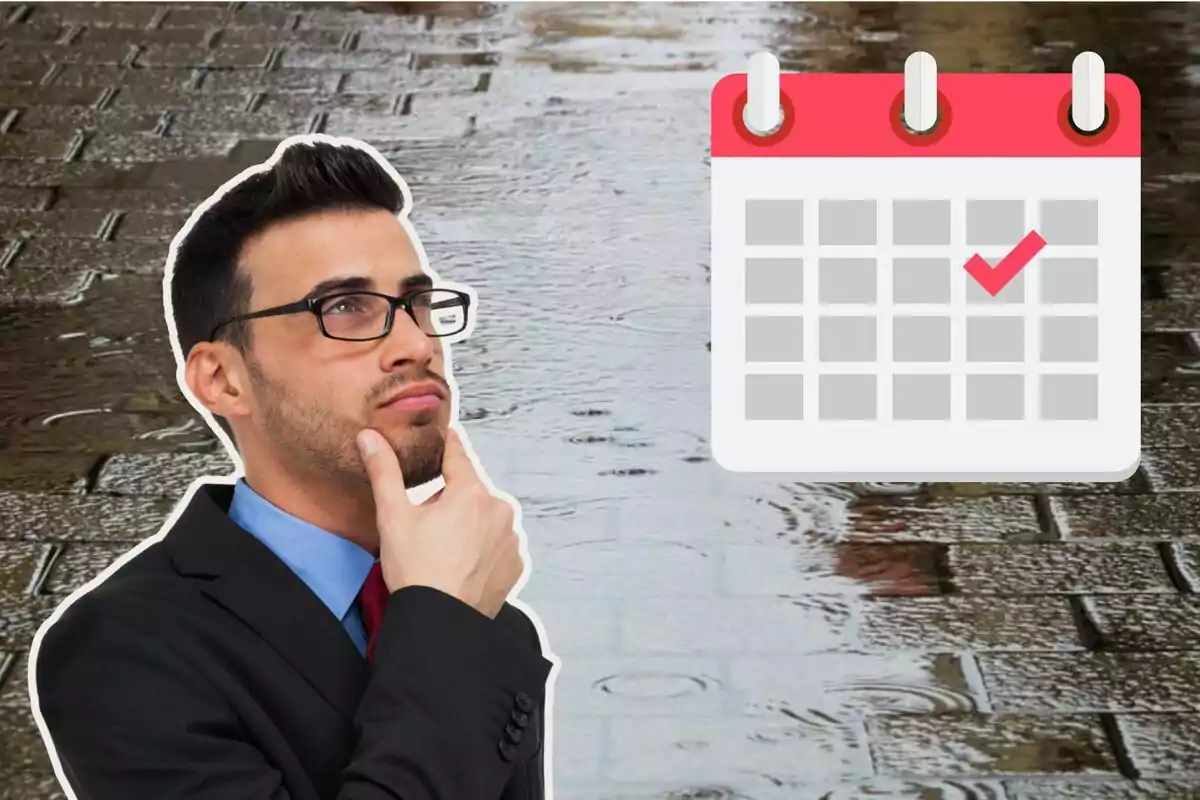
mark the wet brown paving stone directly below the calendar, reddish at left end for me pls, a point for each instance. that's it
(907, 519)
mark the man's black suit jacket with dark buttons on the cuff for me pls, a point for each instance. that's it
(206, 670)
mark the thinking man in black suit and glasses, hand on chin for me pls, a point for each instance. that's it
(257, 649)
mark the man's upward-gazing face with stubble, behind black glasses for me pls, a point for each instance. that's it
(313, 394)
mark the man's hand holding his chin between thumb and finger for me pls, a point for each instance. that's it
(463, 545)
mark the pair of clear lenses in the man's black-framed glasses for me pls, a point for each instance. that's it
(437, 312)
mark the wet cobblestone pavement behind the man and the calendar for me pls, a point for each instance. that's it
(763, 641)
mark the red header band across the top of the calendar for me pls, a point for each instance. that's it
(980, 116)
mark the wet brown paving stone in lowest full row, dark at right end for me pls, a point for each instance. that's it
(971, 744)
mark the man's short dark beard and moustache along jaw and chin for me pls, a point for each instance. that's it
(314, 438)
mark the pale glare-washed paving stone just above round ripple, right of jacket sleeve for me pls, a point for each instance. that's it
(736, 625)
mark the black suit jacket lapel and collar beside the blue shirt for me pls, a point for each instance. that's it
(249, 581)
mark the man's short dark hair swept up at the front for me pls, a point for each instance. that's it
(207, 287)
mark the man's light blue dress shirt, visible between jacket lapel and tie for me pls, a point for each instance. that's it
(334, 568)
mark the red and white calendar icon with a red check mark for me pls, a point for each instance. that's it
(927, 278)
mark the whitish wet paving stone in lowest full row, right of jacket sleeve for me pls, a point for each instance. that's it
(717, 751)
